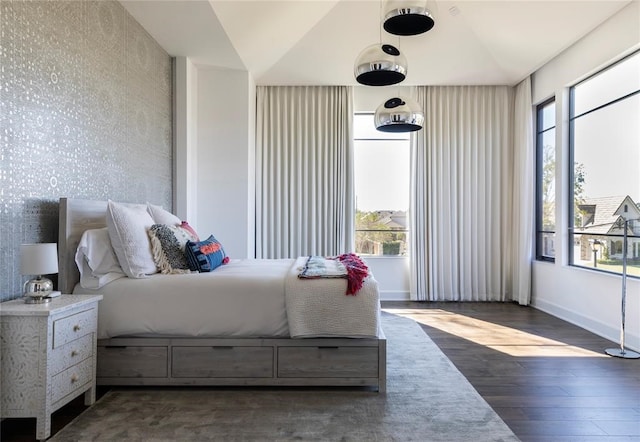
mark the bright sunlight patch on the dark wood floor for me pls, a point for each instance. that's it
(497, 337)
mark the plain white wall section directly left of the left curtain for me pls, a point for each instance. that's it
(225, 152)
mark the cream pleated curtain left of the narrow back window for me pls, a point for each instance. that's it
(304, 171)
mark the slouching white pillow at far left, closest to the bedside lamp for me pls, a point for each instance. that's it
(96, 260)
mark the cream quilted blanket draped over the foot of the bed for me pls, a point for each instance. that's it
(321, 308)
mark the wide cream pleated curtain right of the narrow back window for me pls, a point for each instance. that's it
(471, 195)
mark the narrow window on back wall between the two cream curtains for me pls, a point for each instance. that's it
(382, 189)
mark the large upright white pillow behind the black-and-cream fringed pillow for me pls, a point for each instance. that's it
(127, 225)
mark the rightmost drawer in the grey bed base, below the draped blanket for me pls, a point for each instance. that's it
(336, 362)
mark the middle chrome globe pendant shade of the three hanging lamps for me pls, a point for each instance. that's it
(380, 65)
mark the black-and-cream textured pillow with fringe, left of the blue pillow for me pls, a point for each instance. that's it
(168, 247)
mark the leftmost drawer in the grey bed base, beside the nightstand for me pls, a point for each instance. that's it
(132, 362)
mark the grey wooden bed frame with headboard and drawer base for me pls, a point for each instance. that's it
(216, 361)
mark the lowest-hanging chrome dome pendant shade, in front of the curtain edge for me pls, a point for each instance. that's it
(399, 114)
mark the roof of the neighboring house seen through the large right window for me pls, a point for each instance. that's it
(600, 215)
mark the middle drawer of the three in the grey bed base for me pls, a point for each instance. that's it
(222, 362)
